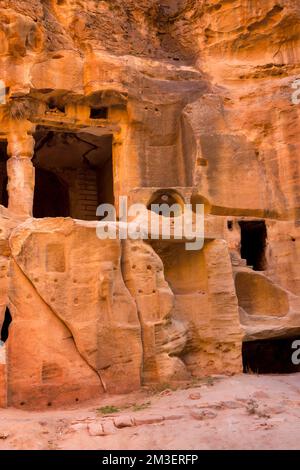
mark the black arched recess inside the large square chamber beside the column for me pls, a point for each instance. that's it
(51, 195)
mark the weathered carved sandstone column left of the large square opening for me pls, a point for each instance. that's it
(20, 171)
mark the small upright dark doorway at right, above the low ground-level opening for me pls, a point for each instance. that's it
(253, 243)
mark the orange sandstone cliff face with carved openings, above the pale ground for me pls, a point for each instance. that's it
(170, 101)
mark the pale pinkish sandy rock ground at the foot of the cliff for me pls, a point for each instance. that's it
(240, 412)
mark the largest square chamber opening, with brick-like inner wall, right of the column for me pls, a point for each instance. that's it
(74, 174)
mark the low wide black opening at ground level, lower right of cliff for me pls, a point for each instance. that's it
(270, 356)
